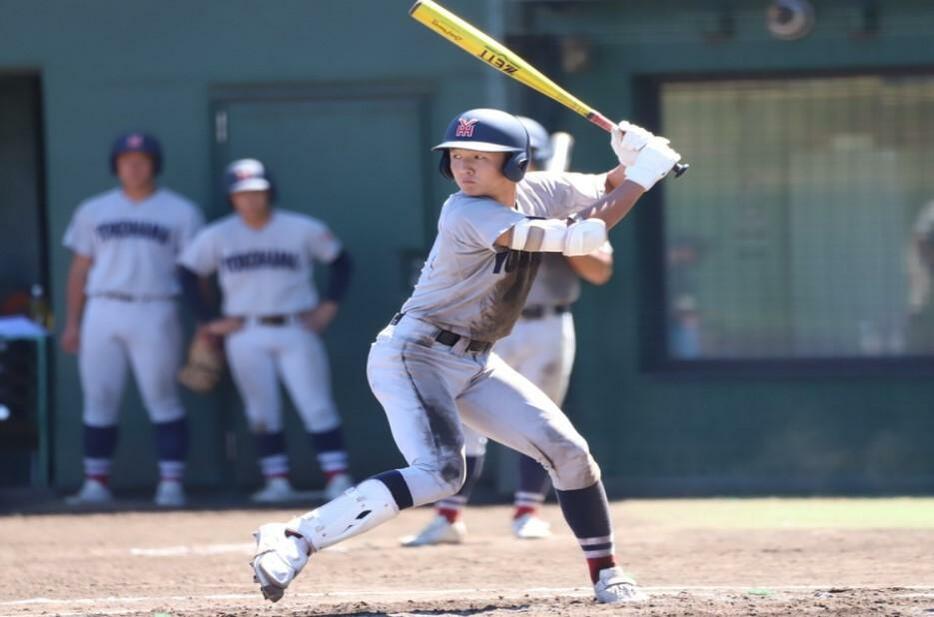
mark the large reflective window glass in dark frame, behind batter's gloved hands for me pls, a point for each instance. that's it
(805, 228)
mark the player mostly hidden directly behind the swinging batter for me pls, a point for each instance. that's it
(541, 347)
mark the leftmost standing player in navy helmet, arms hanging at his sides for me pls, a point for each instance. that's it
(121, 310)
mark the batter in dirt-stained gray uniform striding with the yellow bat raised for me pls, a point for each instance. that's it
(432, 368)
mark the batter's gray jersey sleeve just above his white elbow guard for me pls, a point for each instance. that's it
(477, 223)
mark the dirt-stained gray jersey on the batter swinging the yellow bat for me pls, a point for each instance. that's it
(455, 290)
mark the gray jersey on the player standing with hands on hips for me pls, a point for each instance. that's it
(264, 271)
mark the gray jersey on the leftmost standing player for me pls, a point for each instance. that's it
(133, 244)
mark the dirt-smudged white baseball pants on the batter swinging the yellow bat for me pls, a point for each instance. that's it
(430, 391)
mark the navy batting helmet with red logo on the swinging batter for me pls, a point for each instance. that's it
(487, 130)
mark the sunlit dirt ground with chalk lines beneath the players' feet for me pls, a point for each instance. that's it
(695, 557)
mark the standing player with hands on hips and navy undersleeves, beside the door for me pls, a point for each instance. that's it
(272, 321)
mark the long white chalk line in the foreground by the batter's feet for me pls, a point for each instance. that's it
(921, 591)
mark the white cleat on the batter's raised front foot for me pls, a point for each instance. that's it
(278, 559)
